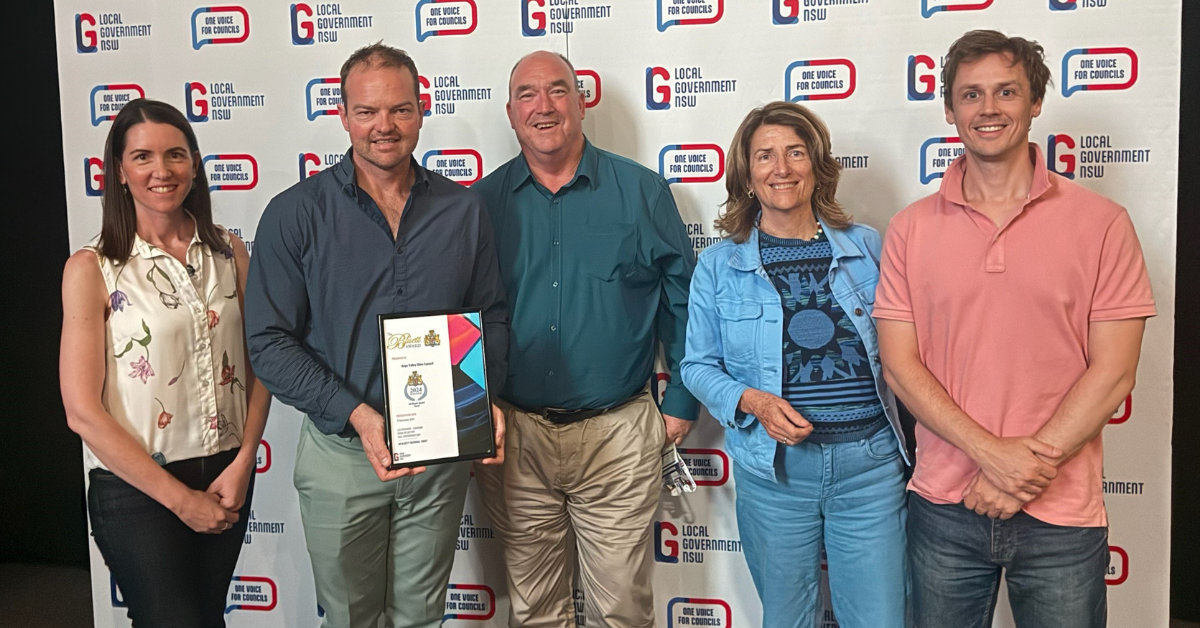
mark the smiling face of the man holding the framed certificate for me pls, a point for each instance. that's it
(382, 113)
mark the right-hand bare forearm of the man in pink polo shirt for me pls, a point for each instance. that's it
(1114, 349)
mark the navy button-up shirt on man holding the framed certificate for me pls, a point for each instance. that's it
(326, 266)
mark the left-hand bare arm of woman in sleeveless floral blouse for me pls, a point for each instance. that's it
(82, 380)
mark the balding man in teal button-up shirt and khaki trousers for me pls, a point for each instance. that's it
(597, 265)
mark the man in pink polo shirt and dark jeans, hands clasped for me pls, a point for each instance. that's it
(1011, 312)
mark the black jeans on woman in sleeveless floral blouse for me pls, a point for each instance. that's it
(169, 575)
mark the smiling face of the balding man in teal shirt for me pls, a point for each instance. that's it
(545, 107)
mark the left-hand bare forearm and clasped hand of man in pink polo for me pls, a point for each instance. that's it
(1013, 465)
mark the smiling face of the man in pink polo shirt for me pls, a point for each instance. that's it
(993, 107)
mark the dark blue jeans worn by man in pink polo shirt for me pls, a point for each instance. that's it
(1055, 575)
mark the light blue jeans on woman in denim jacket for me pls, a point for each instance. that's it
(851, 498)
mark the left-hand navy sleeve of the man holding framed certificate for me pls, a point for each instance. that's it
(278, 315)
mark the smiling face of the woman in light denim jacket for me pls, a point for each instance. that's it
(781, 170)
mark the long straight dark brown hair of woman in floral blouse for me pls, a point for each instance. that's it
(121, 218)
